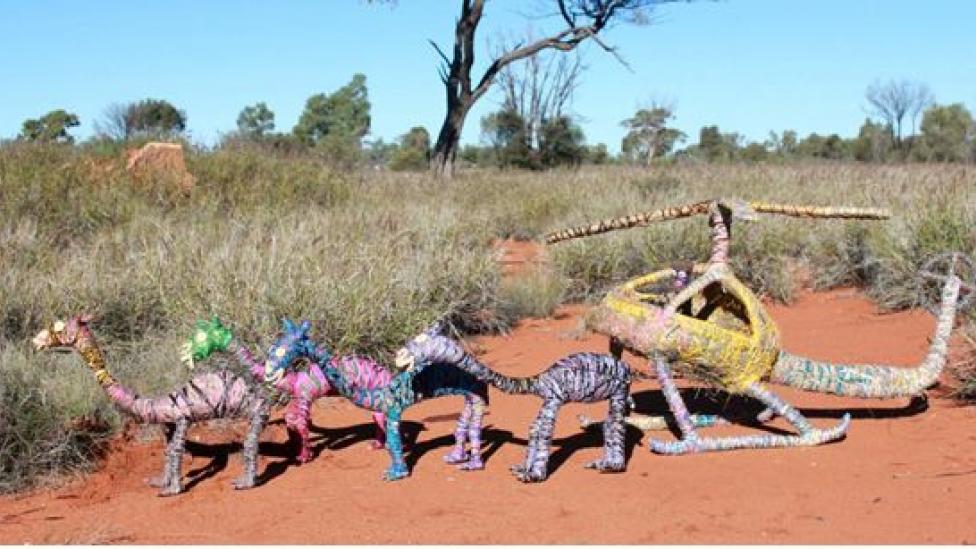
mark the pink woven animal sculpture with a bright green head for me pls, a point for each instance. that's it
(303, 385)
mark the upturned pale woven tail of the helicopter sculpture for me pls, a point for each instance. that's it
(874, 381)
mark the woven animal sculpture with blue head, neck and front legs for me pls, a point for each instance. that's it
(404, 390)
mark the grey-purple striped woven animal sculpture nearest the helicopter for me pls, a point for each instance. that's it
(581, 377)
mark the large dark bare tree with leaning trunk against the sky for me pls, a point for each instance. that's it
(580, 20)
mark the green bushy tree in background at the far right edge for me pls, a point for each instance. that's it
(947, 134)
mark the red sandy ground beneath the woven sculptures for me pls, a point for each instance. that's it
(900, 476)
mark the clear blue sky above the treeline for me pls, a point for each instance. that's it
(749, 66)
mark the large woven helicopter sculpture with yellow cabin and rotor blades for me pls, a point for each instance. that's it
(731, 342)
